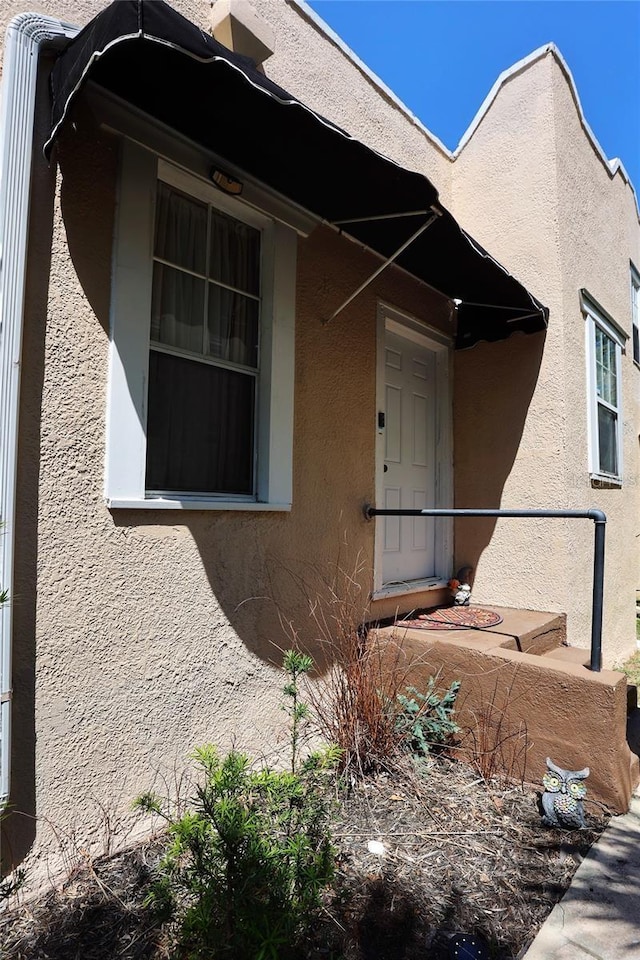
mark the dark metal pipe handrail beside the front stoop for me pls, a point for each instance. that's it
(599, 519)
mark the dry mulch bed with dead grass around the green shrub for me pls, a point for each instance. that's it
(460, 855)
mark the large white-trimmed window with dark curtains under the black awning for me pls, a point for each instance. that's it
(200, 406)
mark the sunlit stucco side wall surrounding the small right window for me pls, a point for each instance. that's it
(598, 237)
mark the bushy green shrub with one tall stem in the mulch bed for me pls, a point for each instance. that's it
(246, 865)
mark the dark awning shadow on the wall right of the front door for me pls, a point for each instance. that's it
(494, 384)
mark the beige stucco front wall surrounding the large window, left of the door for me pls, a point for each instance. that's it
(150, 633)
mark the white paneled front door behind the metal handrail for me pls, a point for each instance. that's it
(410, 474)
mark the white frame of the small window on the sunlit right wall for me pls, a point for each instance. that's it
(594, 317)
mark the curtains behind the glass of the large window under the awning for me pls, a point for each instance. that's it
(200, 425)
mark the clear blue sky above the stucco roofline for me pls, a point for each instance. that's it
(441, 57)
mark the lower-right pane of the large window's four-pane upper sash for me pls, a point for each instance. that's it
(233, 326)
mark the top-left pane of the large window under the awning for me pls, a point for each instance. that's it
(181, 229)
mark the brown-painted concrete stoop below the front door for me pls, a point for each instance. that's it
(524, 696)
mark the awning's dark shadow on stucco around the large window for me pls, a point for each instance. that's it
(265, 570)
